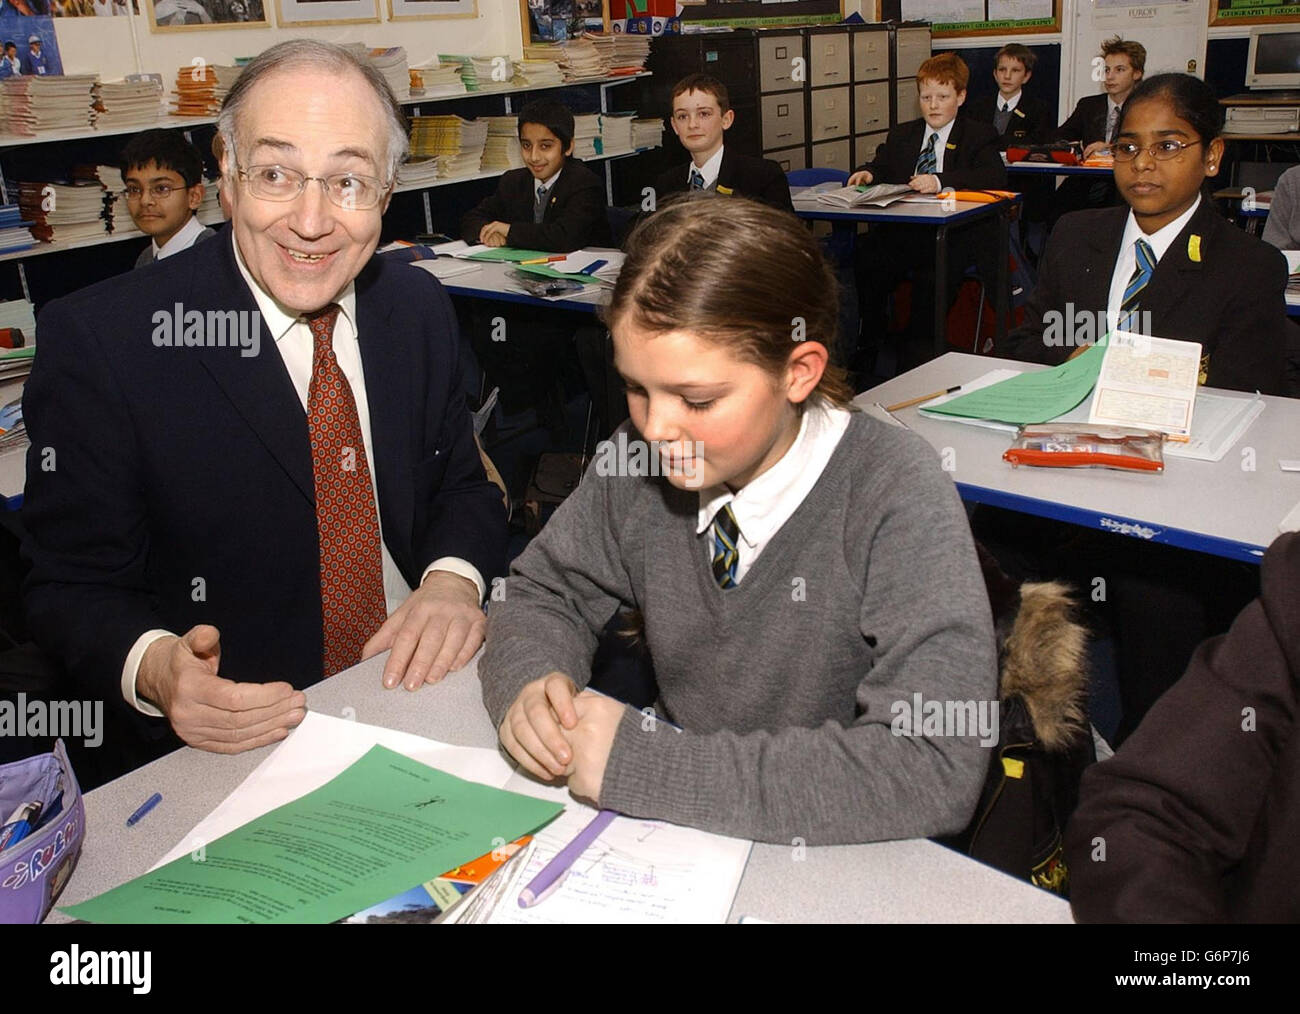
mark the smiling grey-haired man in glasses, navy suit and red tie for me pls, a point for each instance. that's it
(245, 460)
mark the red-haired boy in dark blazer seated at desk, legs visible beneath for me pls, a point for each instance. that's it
(939, 151)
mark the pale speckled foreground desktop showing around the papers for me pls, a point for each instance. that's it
(889, 882)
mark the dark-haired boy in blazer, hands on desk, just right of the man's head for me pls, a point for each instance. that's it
(554, 203)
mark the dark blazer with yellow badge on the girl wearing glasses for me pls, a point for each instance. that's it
(1232, 301)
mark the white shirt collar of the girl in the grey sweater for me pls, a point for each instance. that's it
(769, 501)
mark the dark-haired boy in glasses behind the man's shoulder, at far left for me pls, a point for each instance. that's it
(164, 188)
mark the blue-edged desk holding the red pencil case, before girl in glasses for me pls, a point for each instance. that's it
(1214, 508)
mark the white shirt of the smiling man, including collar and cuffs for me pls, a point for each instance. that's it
(293, 337)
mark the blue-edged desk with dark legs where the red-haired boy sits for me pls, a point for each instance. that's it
(939, 219)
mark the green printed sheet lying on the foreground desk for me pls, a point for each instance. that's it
(380, 826)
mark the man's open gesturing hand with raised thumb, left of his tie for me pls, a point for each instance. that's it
(209, 712)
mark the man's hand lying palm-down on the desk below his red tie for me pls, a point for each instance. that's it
(437, 630)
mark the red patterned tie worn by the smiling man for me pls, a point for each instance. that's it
(353, 604)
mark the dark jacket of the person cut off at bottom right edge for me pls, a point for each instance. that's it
(1201, 820)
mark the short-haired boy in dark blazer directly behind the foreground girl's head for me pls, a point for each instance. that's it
(701, 115)
